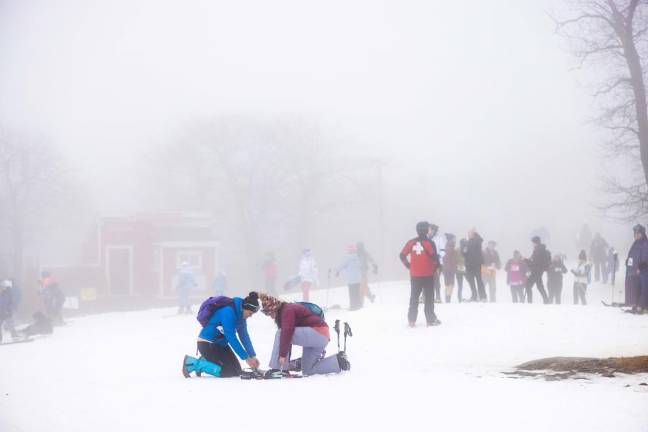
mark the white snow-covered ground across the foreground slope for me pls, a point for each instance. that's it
(121, 372)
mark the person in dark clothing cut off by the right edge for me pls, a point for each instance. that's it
(636, 285)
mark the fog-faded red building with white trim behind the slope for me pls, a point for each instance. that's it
(140, 255)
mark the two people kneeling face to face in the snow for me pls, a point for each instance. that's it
(224, 338)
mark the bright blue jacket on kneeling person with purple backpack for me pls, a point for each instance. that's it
(223, 327)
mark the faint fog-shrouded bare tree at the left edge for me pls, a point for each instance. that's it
(31, 185)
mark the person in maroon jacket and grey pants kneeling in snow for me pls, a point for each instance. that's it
(298, 325)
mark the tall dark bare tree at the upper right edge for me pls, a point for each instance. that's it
(612, 35)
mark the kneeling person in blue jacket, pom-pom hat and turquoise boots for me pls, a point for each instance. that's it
(218, 347)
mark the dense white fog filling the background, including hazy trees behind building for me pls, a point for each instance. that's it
(305, 124)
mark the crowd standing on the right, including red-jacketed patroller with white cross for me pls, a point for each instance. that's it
(430, 256)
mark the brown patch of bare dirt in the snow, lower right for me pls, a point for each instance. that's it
(559, 368)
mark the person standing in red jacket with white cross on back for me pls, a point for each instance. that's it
(422, 265)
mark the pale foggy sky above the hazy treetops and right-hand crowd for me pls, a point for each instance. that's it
(472, 105)
